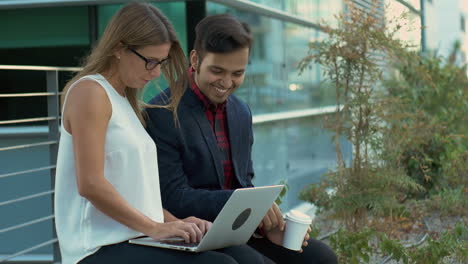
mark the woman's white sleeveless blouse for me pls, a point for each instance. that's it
(130, 166)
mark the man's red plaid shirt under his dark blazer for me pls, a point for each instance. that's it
(217, 117)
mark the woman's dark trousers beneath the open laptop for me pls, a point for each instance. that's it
(126, 253)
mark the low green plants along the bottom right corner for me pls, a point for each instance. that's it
(362, 246)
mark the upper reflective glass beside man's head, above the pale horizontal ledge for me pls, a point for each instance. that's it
(273, 82)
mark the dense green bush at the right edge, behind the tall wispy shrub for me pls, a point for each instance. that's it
(437, 90)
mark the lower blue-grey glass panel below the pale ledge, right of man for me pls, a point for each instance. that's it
(296, 151)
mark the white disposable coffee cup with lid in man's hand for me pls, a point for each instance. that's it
(297, 224)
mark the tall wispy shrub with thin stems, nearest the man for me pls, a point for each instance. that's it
(347, 58)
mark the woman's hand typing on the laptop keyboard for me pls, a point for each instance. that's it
(188, 231)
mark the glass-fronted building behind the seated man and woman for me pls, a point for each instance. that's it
(289, 108)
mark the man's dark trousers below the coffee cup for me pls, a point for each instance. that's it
(315, 253)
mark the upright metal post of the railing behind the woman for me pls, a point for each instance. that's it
(53, 106)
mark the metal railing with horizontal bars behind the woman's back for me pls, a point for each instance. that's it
(52, 118)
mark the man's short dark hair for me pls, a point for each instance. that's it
(221, 34)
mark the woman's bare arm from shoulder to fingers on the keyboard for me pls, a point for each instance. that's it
(87, 116)
